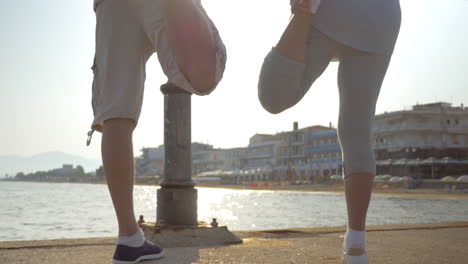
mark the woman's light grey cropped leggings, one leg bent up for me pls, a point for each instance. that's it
(284, 82)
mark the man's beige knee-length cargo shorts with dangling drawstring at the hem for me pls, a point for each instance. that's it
(128, 32)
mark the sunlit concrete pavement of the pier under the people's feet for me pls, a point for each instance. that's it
(424, 243)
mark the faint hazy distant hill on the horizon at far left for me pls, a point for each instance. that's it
(43, 162)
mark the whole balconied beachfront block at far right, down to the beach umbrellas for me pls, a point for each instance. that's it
(428, 141)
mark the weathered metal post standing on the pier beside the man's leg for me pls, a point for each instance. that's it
(177, 197)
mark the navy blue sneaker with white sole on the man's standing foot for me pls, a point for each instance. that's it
(131, 255)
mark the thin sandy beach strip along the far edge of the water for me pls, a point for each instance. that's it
(314, 188)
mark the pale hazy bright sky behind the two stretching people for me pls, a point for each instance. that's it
(47, 48)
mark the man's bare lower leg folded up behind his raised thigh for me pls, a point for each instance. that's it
(193, 43)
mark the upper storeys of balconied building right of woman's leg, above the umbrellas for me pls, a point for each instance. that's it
(437, 126)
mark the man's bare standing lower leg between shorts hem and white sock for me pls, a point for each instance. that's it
(119, 168)
